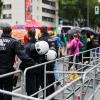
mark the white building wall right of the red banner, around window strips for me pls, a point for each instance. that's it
(37, 13)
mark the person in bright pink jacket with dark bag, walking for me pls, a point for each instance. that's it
(73, 47)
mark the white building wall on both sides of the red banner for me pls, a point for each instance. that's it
(18, 12)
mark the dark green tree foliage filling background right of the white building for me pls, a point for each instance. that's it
(77, 9)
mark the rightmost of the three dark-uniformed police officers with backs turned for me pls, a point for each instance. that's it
(50, 77)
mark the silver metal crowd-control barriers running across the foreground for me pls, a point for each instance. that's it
(68, 89)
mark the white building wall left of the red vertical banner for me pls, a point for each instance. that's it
(17, 11)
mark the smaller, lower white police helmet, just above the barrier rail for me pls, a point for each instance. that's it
(51, 55)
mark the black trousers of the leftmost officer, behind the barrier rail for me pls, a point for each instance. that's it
(6, 84)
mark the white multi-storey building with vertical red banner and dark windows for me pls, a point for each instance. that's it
(20, 11)
